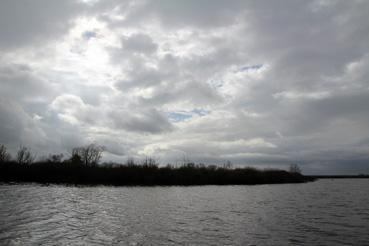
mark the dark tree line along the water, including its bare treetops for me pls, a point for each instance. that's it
(83, 167)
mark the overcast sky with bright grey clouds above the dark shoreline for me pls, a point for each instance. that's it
(258, 83)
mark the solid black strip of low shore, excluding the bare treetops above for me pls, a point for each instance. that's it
(146, 174)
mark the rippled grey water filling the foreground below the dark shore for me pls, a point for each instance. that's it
(326, 212)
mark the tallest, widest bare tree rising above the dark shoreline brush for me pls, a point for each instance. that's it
(89, 155)
